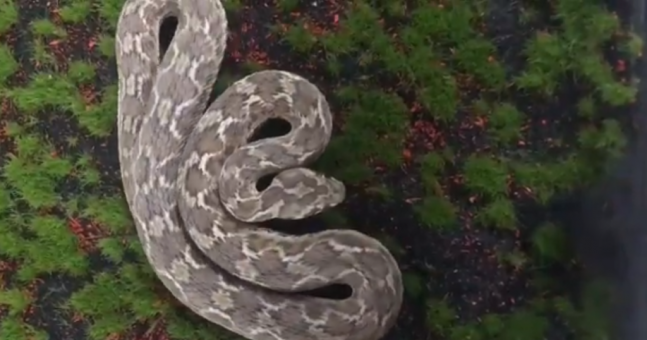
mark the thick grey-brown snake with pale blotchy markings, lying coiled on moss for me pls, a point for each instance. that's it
(190, 169)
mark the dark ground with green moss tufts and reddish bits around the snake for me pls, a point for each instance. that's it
(458, 125)
